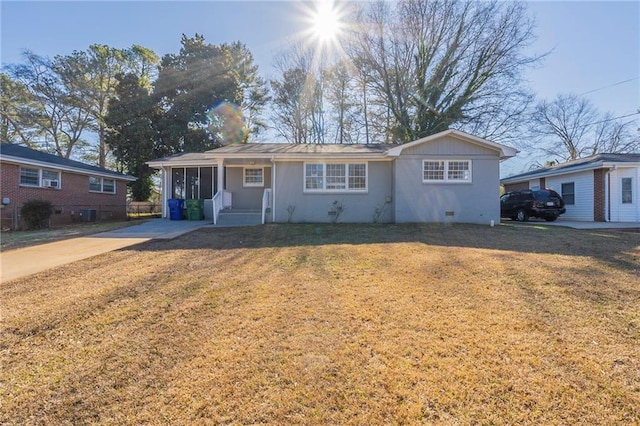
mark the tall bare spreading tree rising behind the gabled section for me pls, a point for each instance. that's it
(440, 64)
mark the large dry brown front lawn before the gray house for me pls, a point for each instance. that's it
(308, 324)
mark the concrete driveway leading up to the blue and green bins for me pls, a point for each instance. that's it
(30, 260)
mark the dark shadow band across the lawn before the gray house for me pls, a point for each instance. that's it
(617, 248)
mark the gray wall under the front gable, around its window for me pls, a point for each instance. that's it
(475, 202)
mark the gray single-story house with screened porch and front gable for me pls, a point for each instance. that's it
(447, 177)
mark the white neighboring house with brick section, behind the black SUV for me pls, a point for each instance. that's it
(600, 188)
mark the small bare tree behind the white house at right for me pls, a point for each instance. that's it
(570, 127)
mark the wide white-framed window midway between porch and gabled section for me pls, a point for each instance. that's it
(335, 177)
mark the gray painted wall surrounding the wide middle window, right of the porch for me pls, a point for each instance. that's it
(292, 204)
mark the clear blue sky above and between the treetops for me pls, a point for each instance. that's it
(594, 46)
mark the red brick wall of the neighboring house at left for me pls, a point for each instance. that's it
(72, 197)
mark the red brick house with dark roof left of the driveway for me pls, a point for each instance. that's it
(78, 191)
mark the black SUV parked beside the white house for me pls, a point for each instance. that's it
(545, 204)
